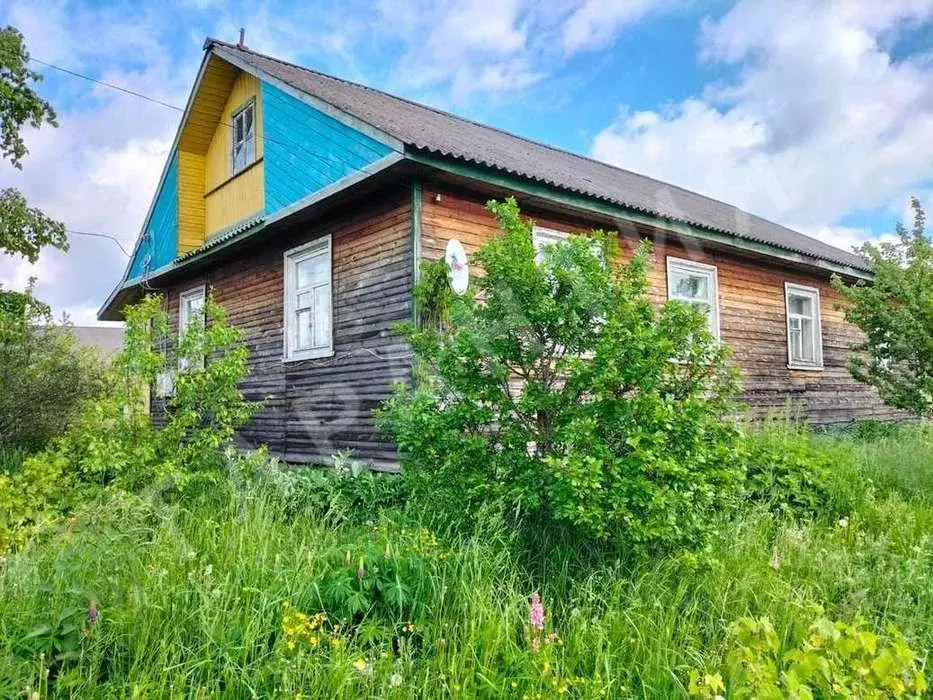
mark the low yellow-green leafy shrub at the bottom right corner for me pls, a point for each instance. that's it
(837, 659)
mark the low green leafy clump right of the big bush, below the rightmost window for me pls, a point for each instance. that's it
(790, 469)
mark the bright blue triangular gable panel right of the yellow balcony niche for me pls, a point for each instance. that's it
(306, 150)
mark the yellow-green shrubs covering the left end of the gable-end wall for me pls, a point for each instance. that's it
(112, 445)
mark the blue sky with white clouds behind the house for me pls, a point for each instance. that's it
(817, 115)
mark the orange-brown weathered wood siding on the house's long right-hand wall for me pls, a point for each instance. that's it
(751, 309)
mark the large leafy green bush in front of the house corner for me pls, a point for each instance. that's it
(559, 390)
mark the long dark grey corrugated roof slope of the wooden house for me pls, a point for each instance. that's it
(438, 132)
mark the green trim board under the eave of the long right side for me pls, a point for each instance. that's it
(595, 206)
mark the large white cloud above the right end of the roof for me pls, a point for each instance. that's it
(819, 122)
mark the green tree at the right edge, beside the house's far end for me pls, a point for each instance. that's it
(895, 312)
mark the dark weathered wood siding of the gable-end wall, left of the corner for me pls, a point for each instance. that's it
(314, 408)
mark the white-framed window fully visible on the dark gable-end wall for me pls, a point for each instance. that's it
(308, 306)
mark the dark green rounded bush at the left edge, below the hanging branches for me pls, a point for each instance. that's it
(44, 375)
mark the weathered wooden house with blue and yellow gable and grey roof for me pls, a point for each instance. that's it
(307, 203)
